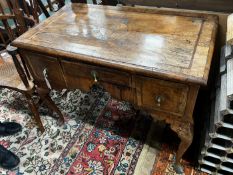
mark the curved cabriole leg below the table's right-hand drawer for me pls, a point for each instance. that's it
(185, 133)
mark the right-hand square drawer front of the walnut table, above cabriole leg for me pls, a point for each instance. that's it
(162, 95)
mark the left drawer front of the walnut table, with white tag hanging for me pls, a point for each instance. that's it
(41, 66)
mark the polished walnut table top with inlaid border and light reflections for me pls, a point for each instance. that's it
(145, 41)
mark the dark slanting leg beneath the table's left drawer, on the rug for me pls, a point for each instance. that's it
(44, 95)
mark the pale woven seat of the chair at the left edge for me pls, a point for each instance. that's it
(9, 77)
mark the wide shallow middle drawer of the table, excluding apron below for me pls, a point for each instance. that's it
(94, 73)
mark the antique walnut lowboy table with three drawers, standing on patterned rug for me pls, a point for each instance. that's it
(155, 59)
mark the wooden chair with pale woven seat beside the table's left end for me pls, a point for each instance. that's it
(15, 76)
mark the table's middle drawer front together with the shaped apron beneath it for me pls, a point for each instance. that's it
(83, 76)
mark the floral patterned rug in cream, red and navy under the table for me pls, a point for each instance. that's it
(91, 142)
